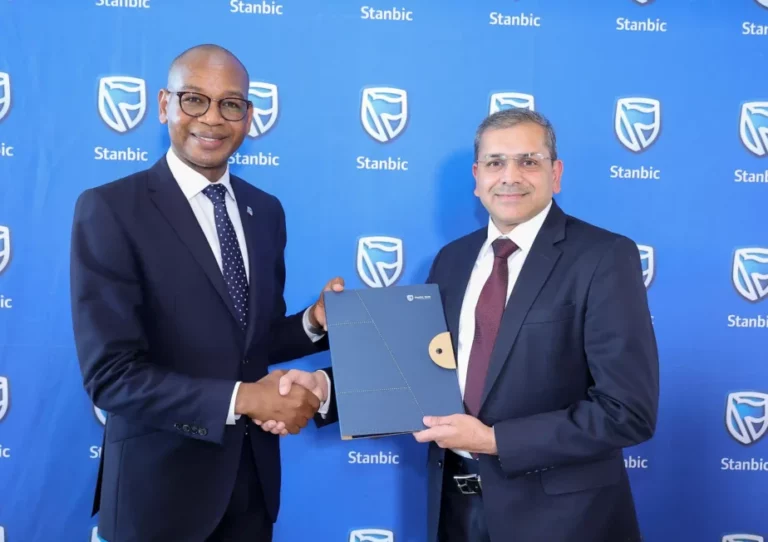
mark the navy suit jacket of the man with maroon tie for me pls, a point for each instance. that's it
(573, 379)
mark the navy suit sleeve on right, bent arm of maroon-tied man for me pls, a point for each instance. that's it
(620, 408)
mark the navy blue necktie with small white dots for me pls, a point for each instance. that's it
(231, 257)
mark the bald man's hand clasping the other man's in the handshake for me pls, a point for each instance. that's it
(262, 400)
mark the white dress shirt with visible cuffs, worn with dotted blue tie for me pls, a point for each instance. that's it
(192, 185)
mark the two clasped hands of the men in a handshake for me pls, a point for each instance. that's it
(283, 402)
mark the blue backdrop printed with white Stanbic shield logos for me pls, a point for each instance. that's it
(365, 128)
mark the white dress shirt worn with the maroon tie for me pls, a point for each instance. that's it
(523, 235)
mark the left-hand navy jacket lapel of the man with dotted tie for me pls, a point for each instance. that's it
(170, 200)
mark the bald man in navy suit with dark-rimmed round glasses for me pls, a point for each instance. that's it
(177, 281)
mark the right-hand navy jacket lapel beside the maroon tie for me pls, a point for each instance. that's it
(534, 274)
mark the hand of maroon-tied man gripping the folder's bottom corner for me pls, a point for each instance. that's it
(460, 432)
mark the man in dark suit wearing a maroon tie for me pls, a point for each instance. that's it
(557, 359)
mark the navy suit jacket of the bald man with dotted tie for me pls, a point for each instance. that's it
(160, 350)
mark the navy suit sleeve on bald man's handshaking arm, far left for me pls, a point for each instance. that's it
(112, 347)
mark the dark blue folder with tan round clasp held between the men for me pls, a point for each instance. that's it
(393, 359)
